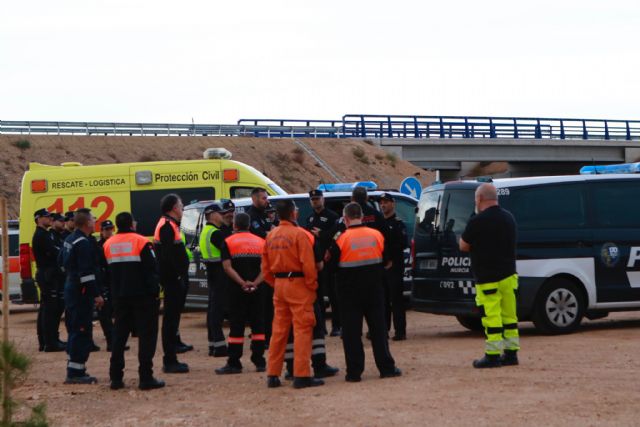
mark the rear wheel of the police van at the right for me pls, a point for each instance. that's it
(559, 307)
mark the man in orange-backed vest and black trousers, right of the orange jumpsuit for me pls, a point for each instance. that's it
(361, 255)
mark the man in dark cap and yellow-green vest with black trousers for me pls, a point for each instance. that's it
(219, 217)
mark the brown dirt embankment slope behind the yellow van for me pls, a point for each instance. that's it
(280, 159)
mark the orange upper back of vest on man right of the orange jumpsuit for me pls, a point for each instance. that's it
(360, 246)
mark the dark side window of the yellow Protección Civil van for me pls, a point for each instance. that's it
(145, 204)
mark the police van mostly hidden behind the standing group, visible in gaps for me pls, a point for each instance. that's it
(193, 221)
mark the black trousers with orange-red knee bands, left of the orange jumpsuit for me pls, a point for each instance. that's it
(245, 307)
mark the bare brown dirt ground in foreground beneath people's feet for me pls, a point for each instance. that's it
(588, 378)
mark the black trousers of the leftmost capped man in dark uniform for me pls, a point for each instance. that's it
(51, 307)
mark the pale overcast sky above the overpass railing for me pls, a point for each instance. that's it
(217, 62)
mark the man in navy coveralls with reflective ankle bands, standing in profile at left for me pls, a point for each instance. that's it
(81, 293)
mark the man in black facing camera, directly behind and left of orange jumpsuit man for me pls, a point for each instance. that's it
(261, 225)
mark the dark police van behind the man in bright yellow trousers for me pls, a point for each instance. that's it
(578, 248)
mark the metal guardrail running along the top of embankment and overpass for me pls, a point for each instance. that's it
(355, 126)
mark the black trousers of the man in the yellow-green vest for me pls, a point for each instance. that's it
(218, 301)
